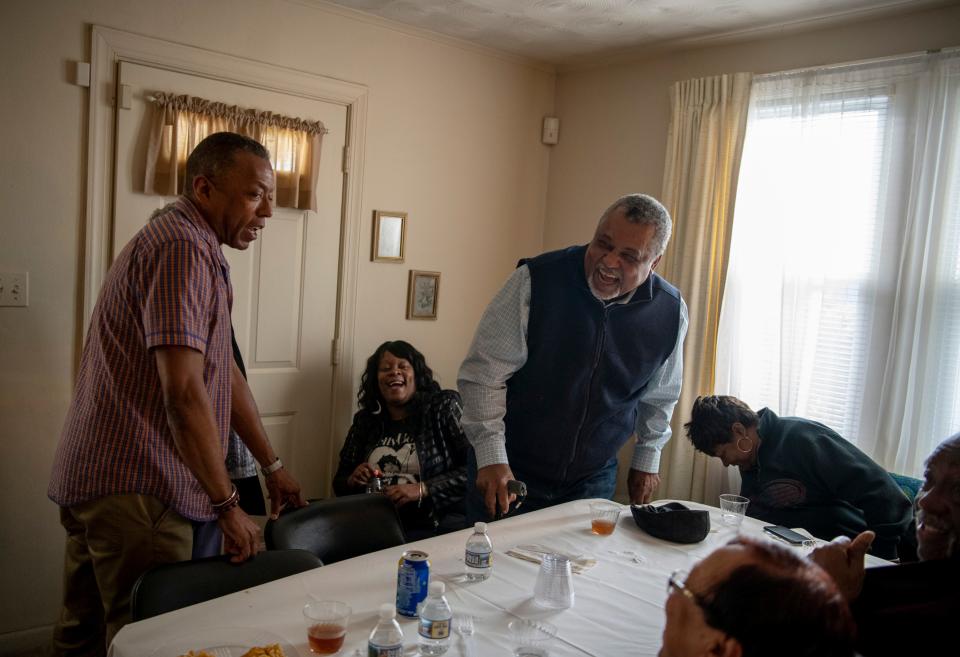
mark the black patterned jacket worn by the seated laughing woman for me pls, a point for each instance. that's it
(441, 449)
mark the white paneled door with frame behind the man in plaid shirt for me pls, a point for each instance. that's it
(284, 285)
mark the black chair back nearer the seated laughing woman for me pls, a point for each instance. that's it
(338, 528)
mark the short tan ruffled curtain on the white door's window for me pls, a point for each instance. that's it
(179, 123)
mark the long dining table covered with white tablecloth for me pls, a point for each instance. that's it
(619, 584)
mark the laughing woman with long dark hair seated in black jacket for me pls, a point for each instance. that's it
(407, 432)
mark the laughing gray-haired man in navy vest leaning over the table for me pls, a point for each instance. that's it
(580, 351)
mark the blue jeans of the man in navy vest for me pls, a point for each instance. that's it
(541, 494)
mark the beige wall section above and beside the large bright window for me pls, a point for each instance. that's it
(613, 120)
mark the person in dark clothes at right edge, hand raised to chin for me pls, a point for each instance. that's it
(908, 608)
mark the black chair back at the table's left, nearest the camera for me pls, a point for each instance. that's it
(172, 586)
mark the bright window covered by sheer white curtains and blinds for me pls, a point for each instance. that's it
(842, 298)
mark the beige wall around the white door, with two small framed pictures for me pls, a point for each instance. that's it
(452, 138)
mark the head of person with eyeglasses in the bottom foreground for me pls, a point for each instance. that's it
(753, 598)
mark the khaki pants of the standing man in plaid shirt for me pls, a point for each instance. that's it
(111, 541)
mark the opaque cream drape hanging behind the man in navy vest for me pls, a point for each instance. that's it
(704, 144)
